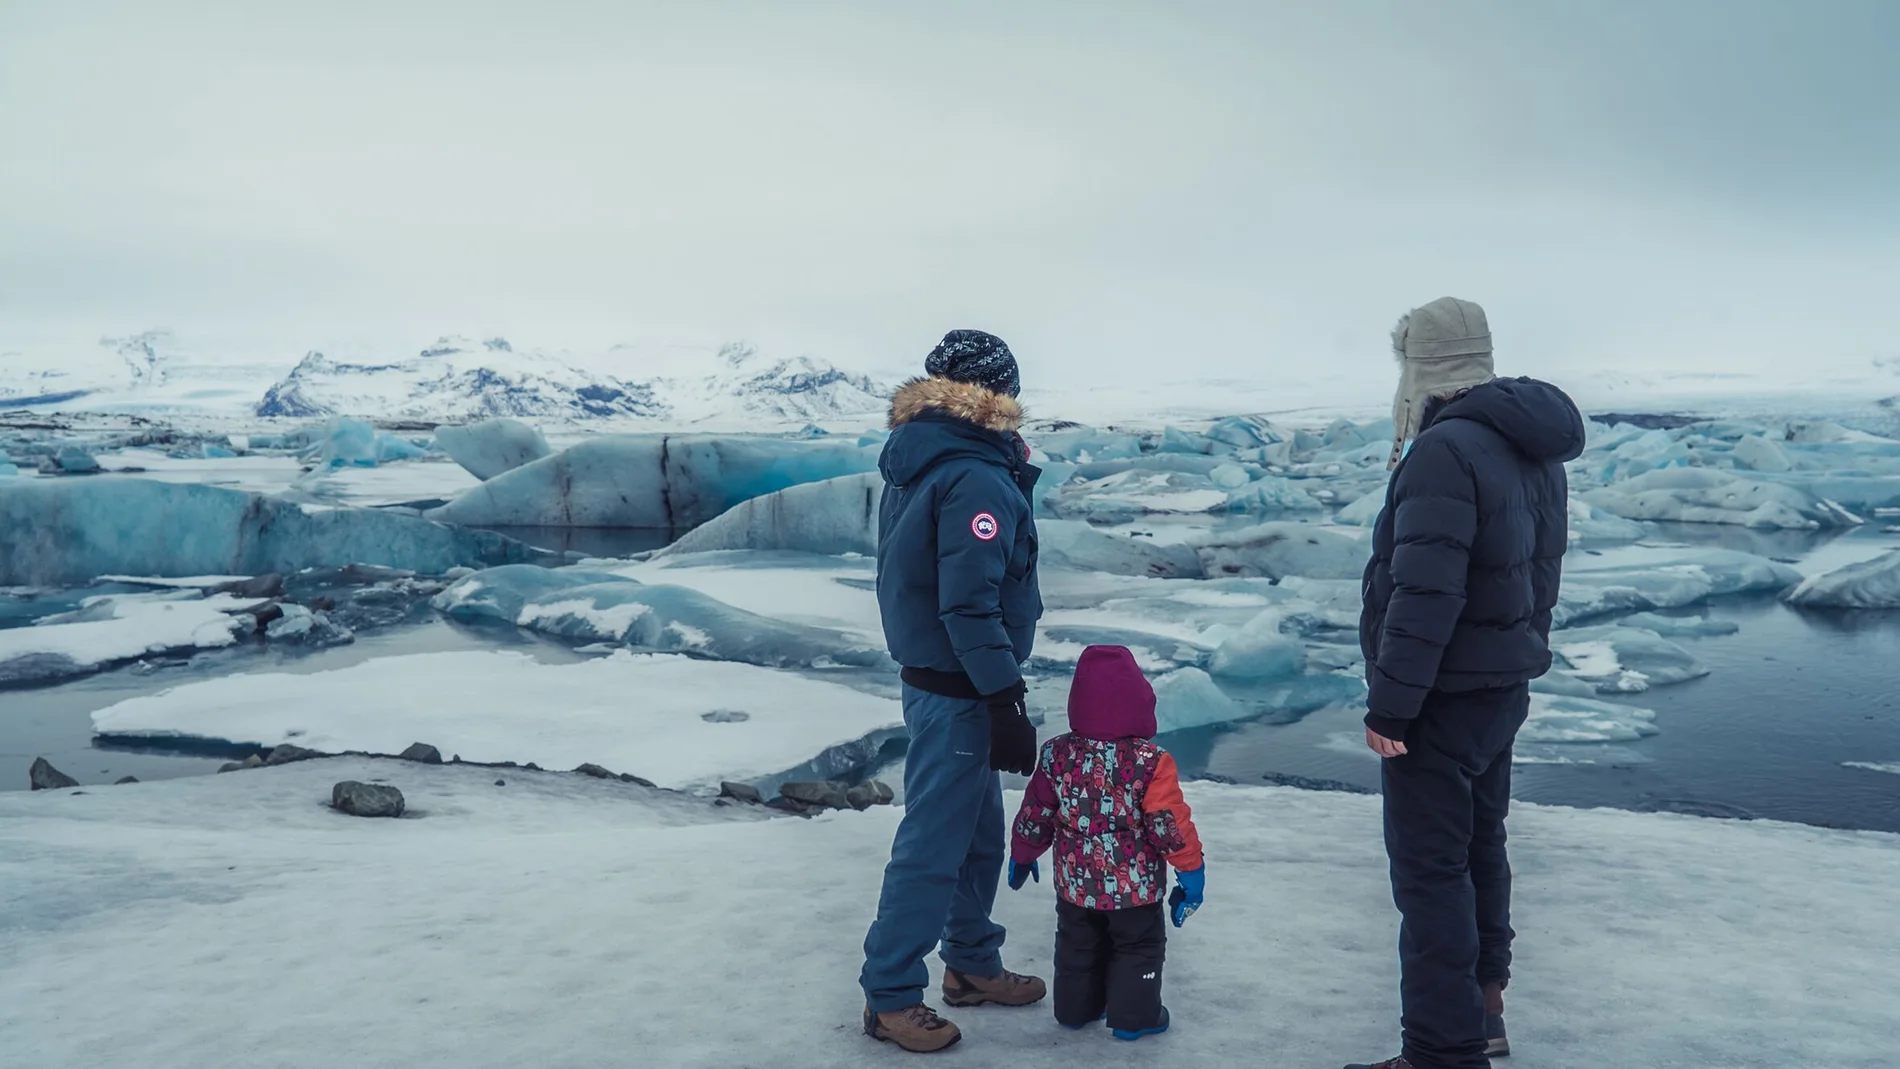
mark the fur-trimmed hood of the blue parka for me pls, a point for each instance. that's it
(936, 421)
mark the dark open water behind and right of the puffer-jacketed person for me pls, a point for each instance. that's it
(1789, 700)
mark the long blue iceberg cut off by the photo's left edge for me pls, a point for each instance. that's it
(64, 533)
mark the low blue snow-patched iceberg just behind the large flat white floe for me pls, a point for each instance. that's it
(590, 607)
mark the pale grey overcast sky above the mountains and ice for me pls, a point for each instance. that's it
(1122, 191)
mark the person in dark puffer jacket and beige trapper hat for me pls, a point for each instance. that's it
(1466, 567)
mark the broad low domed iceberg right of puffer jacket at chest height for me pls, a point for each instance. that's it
(1707, 497)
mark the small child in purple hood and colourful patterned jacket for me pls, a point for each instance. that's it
(1111, 804)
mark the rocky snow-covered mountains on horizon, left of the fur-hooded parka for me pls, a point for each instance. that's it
(466, 381)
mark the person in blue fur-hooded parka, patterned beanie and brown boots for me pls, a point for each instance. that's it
(957, 590)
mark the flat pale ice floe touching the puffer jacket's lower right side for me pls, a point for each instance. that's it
(1669, 584)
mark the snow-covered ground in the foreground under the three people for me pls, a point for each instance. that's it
(567, 922)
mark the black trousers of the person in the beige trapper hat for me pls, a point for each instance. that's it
(1445, 835)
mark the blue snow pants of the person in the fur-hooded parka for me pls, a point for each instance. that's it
(947, 857)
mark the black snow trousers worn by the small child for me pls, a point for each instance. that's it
(1111, 960)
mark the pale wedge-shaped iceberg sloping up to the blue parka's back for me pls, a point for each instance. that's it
(831, 517)
